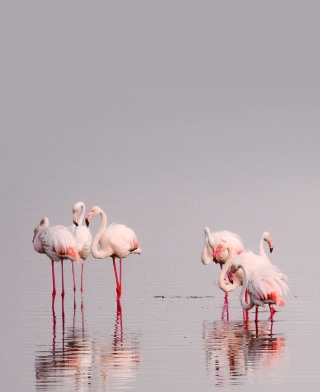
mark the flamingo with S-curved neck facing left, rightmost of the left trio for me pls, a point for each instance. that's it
(115, 240)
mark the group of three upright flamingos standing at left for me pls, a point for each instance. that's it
(73, 243)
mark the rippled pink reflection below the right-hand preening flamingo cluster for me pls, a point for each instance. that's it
(235, 351)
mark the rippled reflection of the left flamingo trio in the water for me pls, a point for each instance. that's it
(74, 361)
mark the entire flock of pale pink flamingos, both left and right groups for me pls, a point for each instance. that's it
(261, 282)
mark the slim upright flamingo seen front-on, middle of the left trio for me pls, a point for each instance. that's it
(83, 238)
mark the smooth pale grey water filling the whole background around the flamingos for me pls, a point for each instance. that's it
(170, 117)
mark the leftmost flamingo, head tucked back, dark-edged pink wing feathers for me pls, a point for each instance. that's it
(58, 243)
